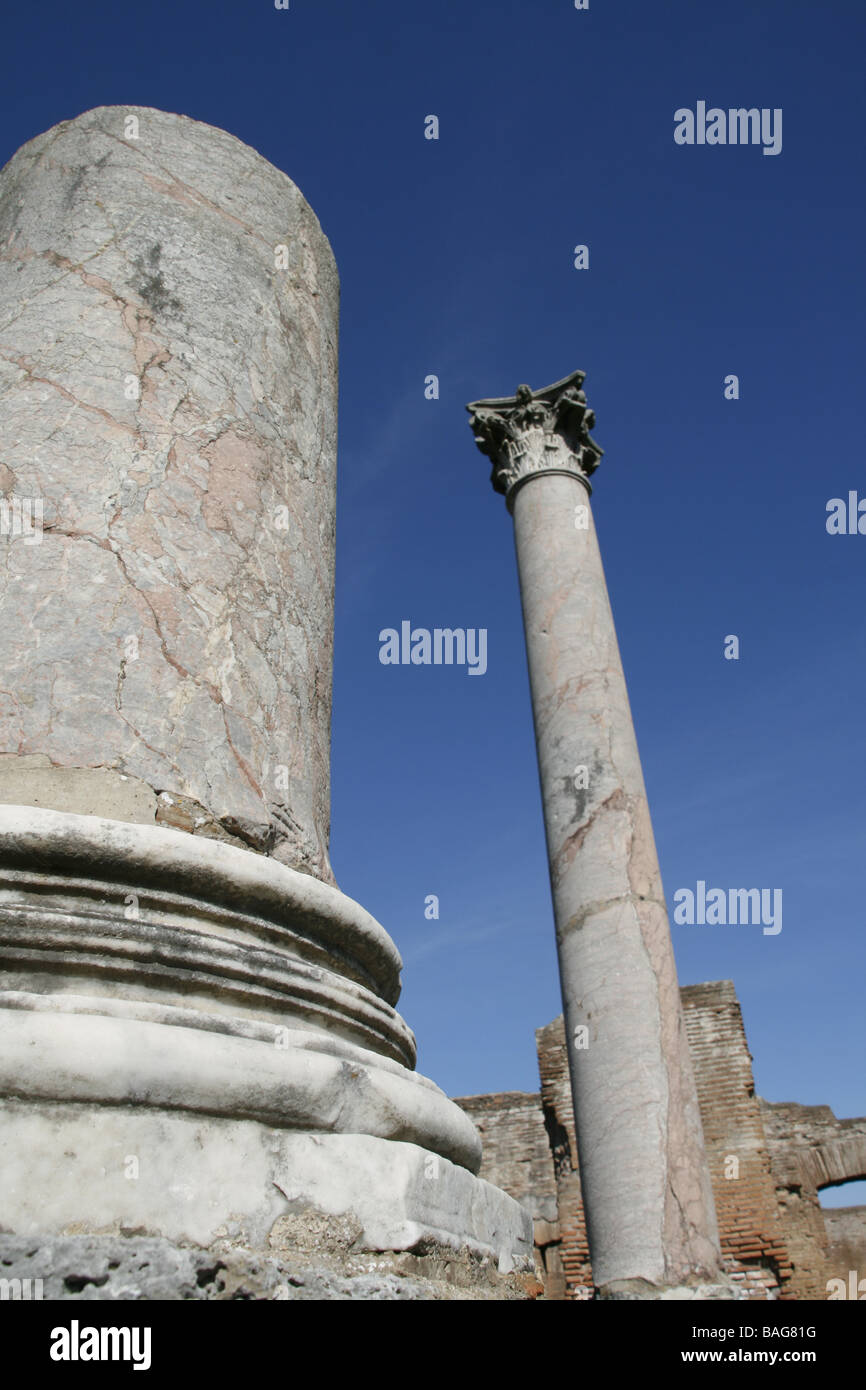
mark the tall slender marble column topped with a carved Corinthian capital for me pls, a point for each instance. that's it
(646, 1182)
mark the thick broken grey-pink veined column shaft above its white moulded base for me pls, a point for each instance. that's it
(168, 400)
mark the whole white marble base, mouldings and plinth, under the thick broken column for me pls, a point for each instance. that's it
(198, 1045)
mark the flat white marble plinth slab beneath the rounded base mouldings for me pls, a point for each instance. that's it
(198, 1181)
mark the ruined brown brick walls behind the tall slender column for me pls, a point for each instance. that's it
(768, 1164)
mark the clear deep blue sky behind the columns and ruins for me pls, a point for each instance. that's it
(457, 258)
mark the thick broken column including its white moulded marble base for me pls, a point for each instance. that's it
(198, 1029)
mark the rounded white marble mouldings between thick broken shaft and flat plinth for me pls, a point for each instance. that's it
(147, 964)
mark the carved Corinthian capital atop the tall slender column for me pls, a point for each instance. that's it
(537, 432)
